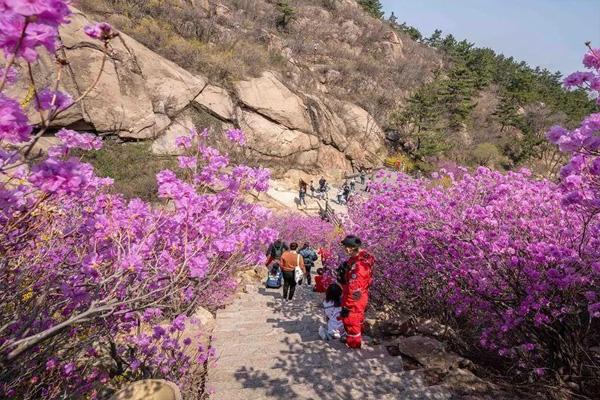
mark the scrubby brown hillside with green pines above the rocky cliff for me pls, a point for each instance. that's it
(438, 98)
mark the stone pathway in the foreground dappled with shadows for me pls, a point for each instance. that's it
(268, 350)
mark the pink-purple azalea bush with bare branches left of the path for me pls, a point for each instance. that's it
(97, 290)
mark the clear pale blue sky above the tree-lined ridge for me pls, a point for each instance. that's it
(548, 33)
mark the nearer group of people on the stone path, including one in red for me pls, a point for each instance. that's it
(346, 292)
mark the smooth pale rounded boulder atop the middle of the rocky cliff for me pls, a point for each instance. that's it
(268, 96)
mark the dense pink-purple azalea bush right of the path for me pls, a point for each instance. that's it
(512, 264)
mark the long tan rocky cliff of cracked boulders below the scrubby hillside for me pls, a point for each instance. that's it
(143, 96)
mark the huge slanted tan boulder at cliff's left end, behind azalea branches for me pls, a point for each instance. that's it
(135, 94)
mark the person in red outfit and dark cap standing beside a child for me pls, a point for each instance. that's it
(356, 276)
